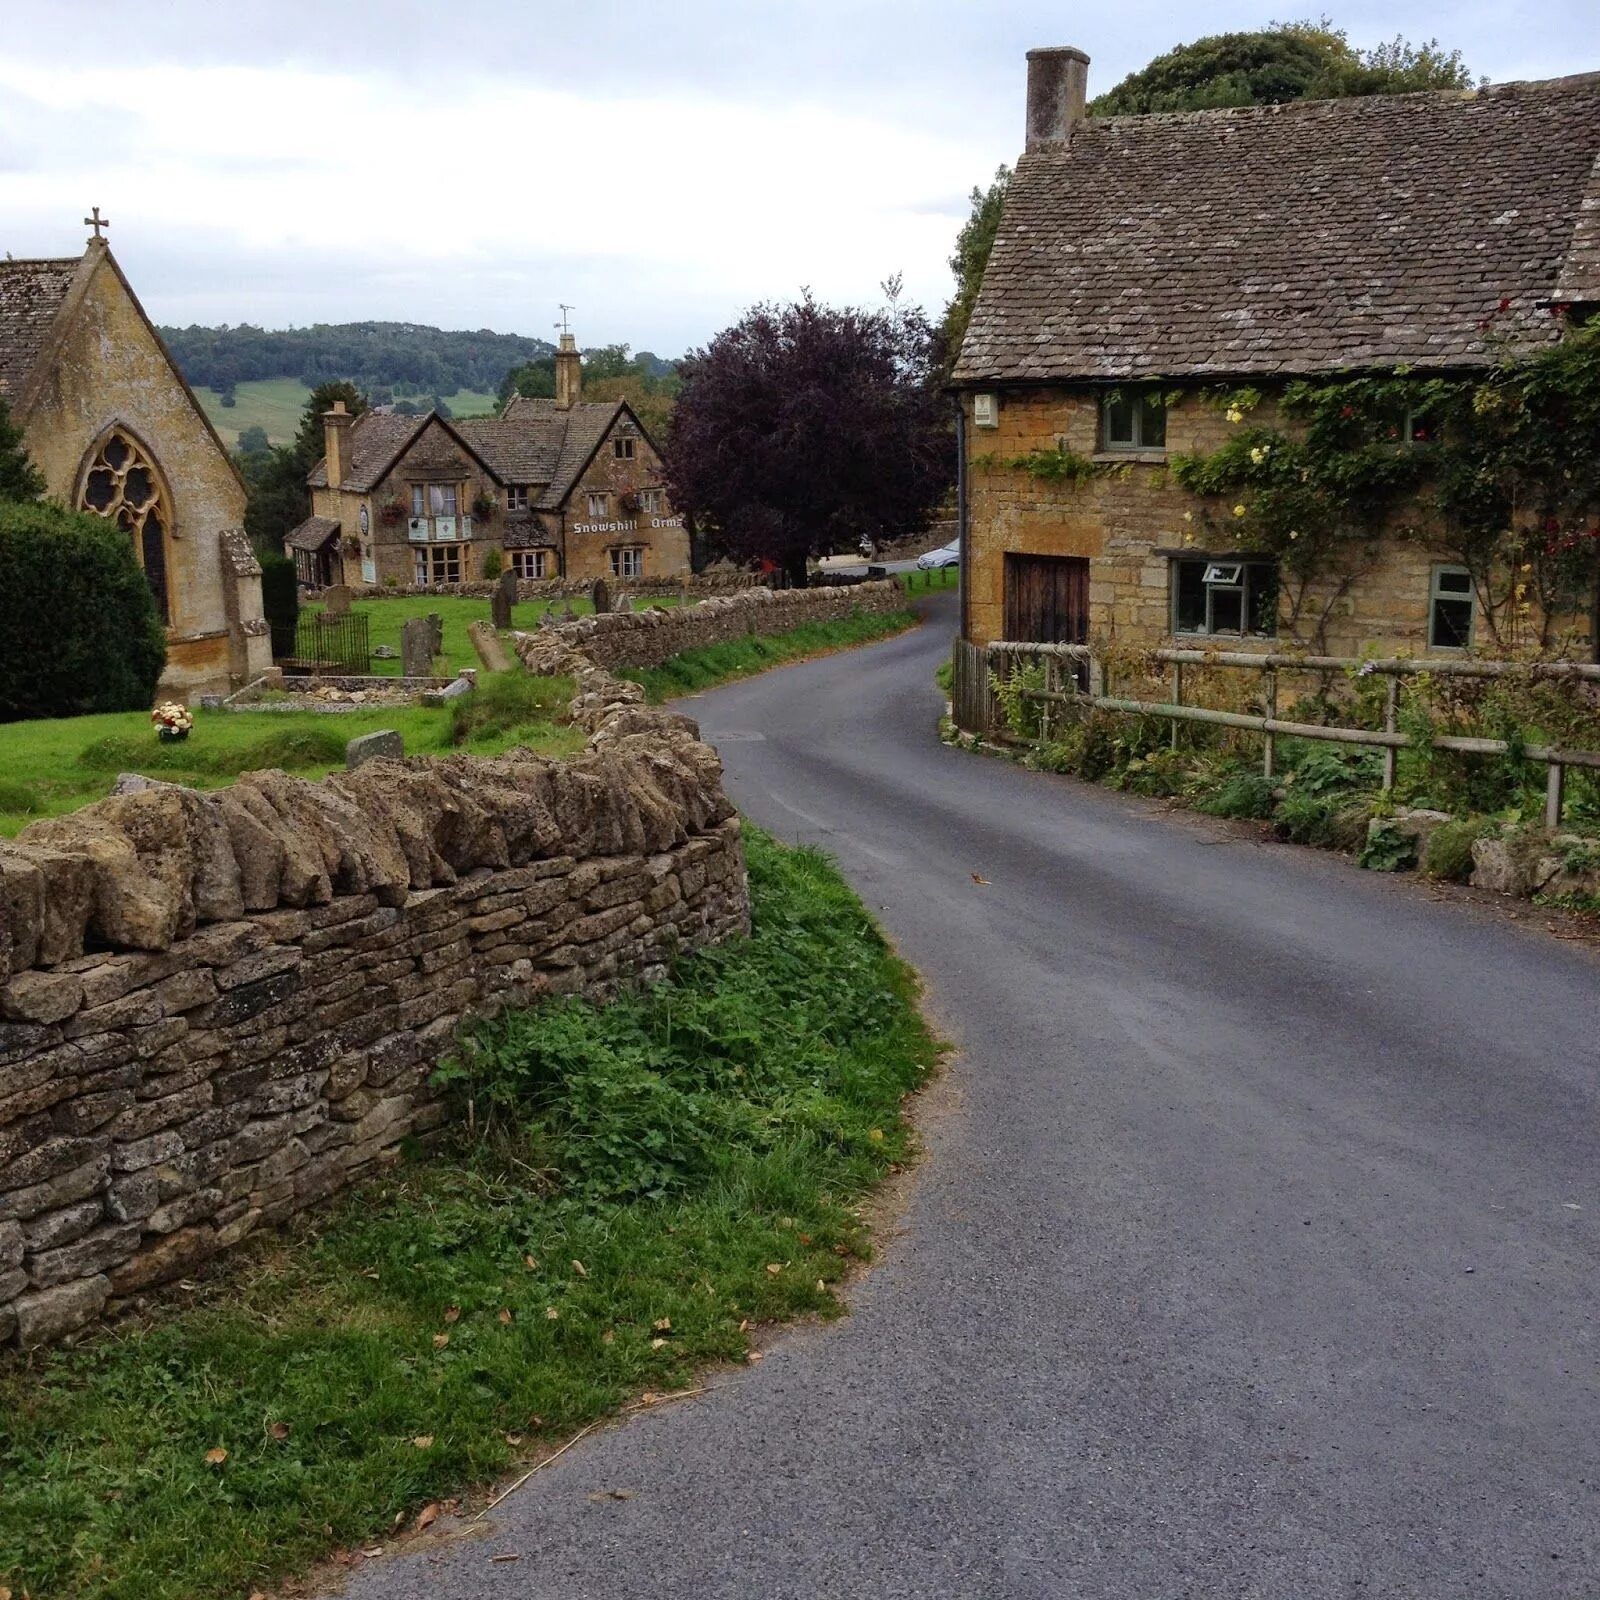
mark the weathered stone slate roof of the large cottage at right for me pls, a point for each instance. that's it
(1295, 239)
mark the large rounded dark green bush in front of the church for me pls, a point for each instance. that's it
(79, 631)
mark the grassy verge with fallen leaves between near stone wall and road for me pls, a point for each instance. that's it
(690, 1172)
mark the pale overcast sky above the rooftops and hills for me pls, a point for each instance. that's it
(662, 167)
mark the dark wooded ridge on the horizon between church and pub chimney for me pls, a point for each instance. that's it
(386, 359)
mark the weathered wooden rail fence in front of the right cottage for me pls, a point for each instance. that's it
(1078, 681)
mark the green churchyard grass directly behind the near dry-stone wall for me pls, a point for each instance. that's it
(58, 766)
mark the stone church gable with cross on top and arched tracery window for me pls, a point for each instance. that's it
(118, 433)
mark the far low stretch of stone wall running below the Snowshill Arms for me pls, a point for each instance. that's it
(646, 639)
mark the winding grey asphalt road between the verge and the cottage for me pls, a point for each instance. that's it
(1255, 1254)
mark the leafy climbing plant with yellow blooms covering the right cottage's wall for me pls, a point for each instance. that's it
(1498, 473)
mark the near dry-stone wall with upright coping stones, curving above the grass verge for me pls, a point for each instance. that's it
(222, 1009)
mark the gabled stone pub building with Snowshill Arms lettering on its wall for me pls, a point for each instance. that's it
(559, 489)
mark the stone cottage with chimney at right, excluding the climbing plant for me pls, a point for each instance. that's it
(1143, 263)
